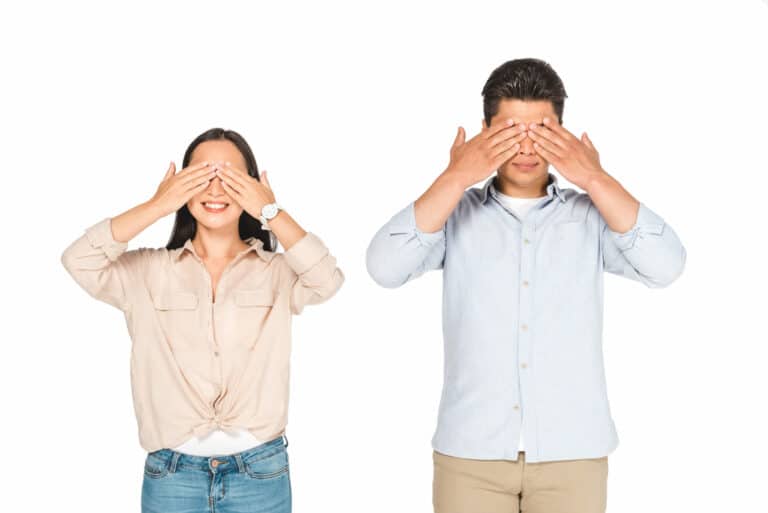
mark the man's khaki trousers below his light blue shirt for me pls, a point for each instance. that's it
(504, 486)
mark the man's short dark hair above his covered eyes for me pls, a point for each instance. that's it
(523, 79)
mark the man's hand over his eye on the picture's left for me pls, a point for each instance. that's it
(476, 159)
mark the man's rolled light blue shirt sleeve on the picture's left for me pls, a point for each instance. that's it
(400, 252)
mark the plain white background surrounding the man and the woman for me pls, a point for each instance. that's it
(352, 109)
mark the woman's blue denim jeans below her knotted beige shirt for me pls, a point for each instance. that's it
(255, 481)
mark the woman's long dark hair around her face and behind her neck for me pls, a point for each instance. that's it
(185, 225)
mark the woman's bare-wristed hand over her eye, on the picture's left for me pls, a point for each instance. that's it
(177, 188)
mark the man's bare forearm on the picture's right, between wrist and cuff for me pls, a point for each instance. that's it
(617, 206)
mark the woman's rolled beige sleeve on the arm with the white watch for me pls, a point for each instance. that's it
(317, 276)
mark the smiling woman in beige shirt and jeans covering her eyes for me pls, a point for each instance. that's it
(209, 318)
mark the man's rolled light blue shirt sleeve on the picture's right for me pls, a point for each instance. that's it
(650, 252)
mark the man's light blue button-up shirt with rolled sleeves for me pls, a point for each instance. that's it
(523, 316)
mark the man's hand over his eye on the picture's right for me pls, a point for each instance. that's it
(576, 159)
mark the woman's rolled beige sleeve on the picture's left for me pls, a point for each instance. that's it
(102, 266)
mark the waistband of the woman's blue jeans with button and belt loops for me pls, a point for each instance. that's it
(174, 459)
